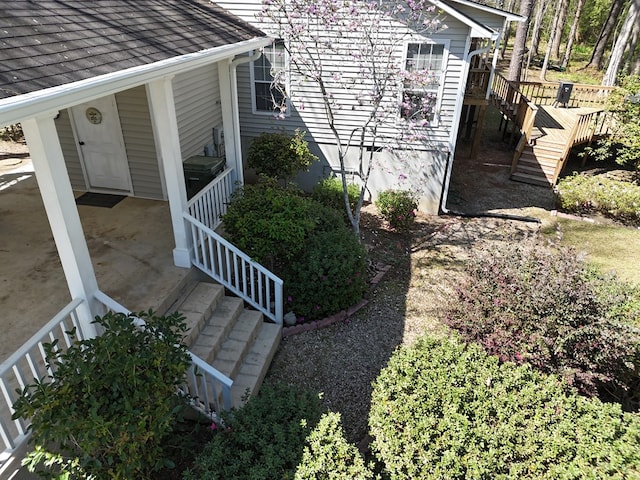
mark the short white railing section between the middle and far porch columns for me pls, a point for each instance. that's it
(210, 203)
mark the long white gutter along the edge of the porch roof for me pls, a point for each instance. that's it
(15, 109)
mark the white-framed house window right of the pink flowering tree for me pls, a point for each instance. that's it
(422, 85)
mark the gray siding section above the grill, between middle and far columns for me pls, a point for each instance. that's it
(198, 110)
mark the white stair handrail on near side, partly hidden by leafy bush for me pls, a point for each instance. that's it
(201, 379)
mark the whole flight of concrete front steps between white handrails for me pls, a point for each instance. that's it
(235, 340)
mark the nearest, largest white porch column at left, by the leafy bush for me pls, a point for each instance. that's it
(53, 181)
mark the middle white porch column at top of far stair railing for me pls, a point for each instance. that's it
(165, 125)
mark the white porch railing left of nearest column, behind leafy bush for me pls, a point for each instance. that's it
(27, 363)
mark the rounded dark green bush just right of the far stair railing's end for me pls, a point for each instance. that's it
(329, 277)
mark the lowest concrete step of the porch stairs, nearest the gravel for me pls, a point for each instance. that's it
(256, 363)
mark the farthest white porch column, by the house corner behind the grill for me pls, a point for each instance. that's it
(230, 118)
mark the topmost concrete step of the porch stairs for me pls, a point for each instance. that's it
(197, 305)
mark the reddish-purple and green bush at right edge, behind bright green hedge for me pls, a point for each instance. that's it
(526, 303)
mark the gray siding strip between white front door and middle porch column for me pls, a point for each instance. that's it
(137, 131)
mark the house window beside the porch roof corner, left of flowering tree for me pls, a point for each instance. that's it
(268, 79)
